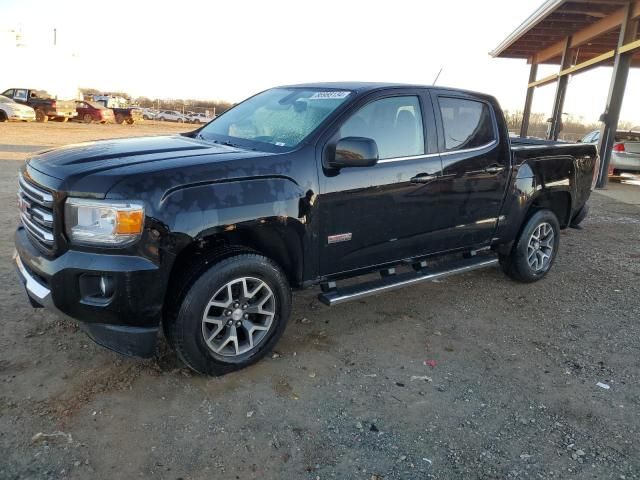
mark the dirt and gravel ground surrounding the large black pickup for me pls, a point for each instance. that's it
(509, 389)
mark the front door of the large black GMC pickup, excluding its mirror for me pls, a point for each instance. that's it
(380, 214)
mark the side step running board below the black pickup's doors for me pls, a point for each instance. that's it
(387, 283)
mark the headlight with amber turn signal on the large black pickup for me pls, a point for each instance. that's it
(103, 222)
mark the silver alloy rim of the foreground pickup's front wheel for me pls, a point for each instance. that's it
(238, 316)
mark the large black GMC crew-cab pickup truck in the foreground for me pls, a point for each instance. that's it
(207, 233)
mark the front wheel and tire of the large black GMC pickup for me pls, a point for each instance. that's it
(198, 327)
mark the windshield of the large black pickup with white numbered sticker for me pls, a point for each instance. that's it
(281, 117)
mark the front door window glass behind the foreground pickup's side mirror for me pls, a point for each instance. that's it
(395, 123)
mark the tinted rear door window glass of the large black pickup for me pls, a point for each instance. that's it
(466, 123)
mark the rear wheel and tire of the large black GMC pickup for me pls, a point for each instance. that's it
(531, 259)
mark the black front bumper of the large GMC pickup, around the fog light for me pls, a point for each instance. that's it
(127, 321)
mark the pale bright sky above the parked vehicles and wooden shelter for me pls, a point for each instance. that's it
(228, 50)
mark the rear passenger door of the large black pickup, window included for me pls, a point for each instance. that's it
(475, 169)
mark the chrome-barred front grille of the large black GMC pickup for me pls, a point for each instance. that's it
(37, 213)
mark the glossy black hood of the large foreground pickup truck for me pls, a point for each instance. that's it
(100, 157)
